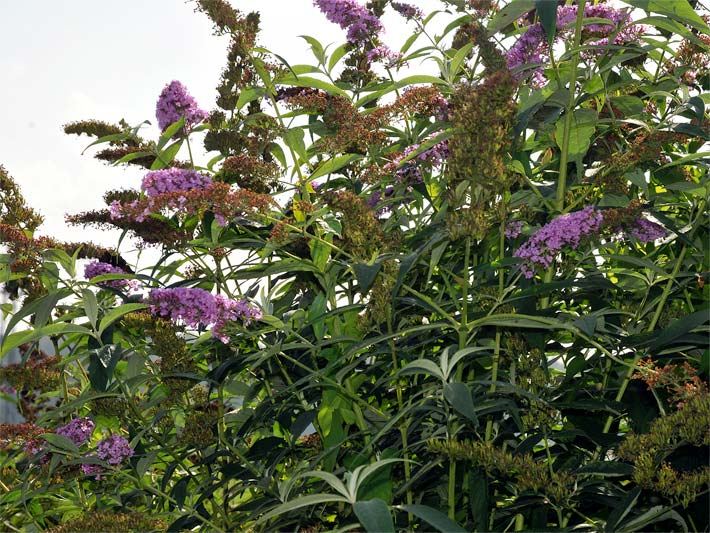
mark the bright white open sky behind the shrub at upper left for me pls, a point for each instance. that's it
(79, 59)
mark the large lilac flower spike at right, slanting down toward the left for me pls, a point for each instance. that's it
(565, 231)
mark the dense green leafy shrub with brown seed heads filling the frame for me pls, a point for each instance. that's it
(408, 370)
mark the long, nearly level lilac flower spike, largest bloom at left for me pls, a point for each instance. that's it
(199, 308)
